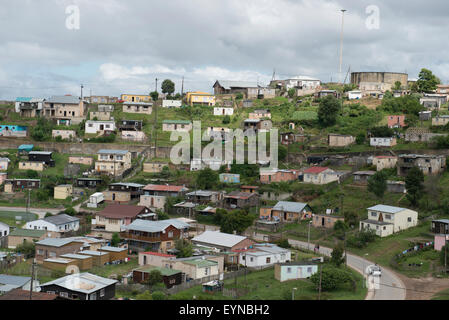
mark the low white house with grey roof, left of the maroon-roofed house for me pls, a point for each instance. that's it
(59, 223)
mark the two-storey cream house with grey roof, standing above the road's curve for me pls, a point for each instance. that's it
(386, 220)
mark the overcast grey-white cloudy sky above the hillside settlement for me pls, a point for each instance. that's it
(123, 45)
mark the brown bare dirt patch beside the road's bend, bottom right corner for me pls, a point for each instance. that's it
(423, 288)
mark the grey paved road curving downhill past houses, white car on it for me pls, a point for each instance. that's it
(390, 288)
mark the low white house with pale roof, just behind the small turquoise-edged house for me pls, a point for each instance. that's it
(264, 255)
